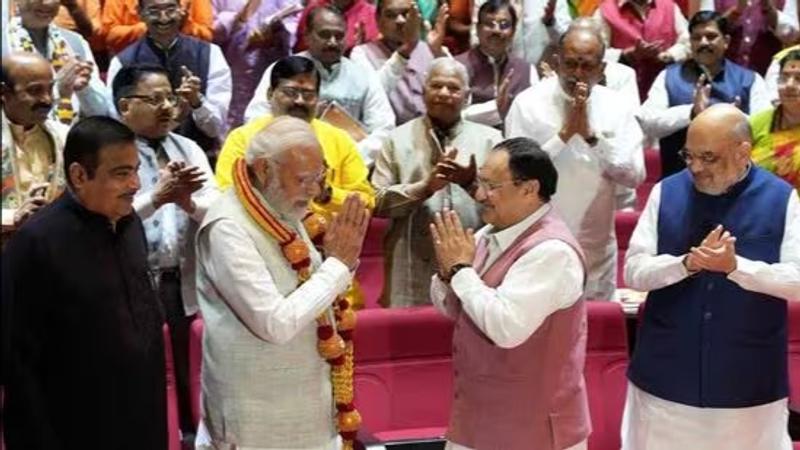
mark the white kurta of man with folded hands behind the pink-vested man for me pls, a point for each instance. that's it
(587, 175)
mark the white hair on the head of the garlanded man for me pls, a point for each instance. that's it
(278, 137)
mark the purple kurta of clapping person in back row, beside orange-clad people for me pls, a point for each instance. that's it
(247, 66)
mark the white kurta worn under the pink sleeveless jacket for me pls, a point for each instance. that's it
(506, 314)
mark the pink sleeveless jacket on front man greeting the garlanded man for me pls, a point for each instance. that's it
(530, 396)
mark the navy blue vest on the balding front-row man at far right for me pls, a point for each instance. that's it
(705, 341)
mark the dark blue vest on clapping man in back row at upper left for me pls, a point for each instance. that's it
(187, 51)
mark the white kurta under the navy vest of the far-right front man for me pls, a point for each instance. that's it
(652, 423)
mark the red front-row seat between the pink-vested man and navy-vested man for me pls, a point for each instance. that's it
(605, 372)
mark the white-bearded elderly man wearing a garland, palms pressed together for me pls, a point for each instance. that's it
(272, 304)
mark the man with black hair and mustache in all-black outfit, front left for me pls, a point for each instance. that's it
(83, 354)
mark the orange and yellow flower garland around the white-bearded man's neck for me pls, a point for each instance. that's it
(334, 343)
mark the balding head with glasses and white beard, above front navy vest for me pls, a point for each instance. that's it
(718, 146)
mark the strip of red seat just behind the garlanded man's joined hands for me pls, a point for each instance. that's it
(370, 268)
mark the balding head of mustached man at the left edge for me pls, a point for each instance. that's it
(26, 83)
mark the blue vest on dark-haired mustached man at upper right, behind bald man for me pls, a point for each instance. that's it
(731, 82)
